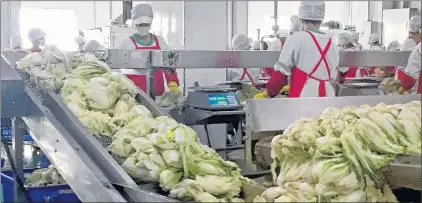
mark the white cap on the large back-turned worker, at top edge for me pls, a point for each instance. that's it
(312, 10)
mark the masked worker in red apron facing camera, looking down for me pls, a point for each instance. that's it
(142, 16)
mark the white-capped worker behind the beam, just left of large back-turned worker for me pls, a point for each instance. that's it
(243, 42)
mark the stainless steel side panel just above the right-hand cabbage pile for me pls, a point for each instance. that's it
(276, 114)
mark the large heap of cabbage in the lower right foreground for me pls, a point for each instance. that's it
(339, 156)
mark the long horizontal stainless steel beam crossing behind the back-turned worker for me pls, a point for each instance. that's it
(136, 59)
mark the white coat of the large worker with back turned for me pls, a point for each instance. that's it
(300, 50)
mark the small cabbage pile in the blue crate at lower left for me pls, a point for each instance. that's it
(44, 177)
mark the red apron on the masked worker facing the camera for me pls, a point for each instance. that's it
(140, 80)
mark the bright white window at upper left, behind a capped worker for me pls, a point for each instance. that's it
(59, 24)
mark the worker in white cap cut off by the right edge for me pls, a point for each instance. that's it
(410, 43)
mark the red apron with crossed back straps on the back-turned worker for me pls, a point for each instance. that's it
(299, 77)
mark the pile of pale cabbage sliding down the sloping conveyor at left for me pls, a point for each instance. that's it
(149, 149)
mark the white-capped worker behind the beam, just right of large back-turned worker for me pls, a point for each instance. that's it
(345, 42)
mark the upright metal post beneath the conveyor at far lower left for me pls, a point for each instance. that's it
(18, 130)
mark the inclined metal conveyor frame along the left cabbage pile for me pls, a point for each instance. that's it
(82, 161)
